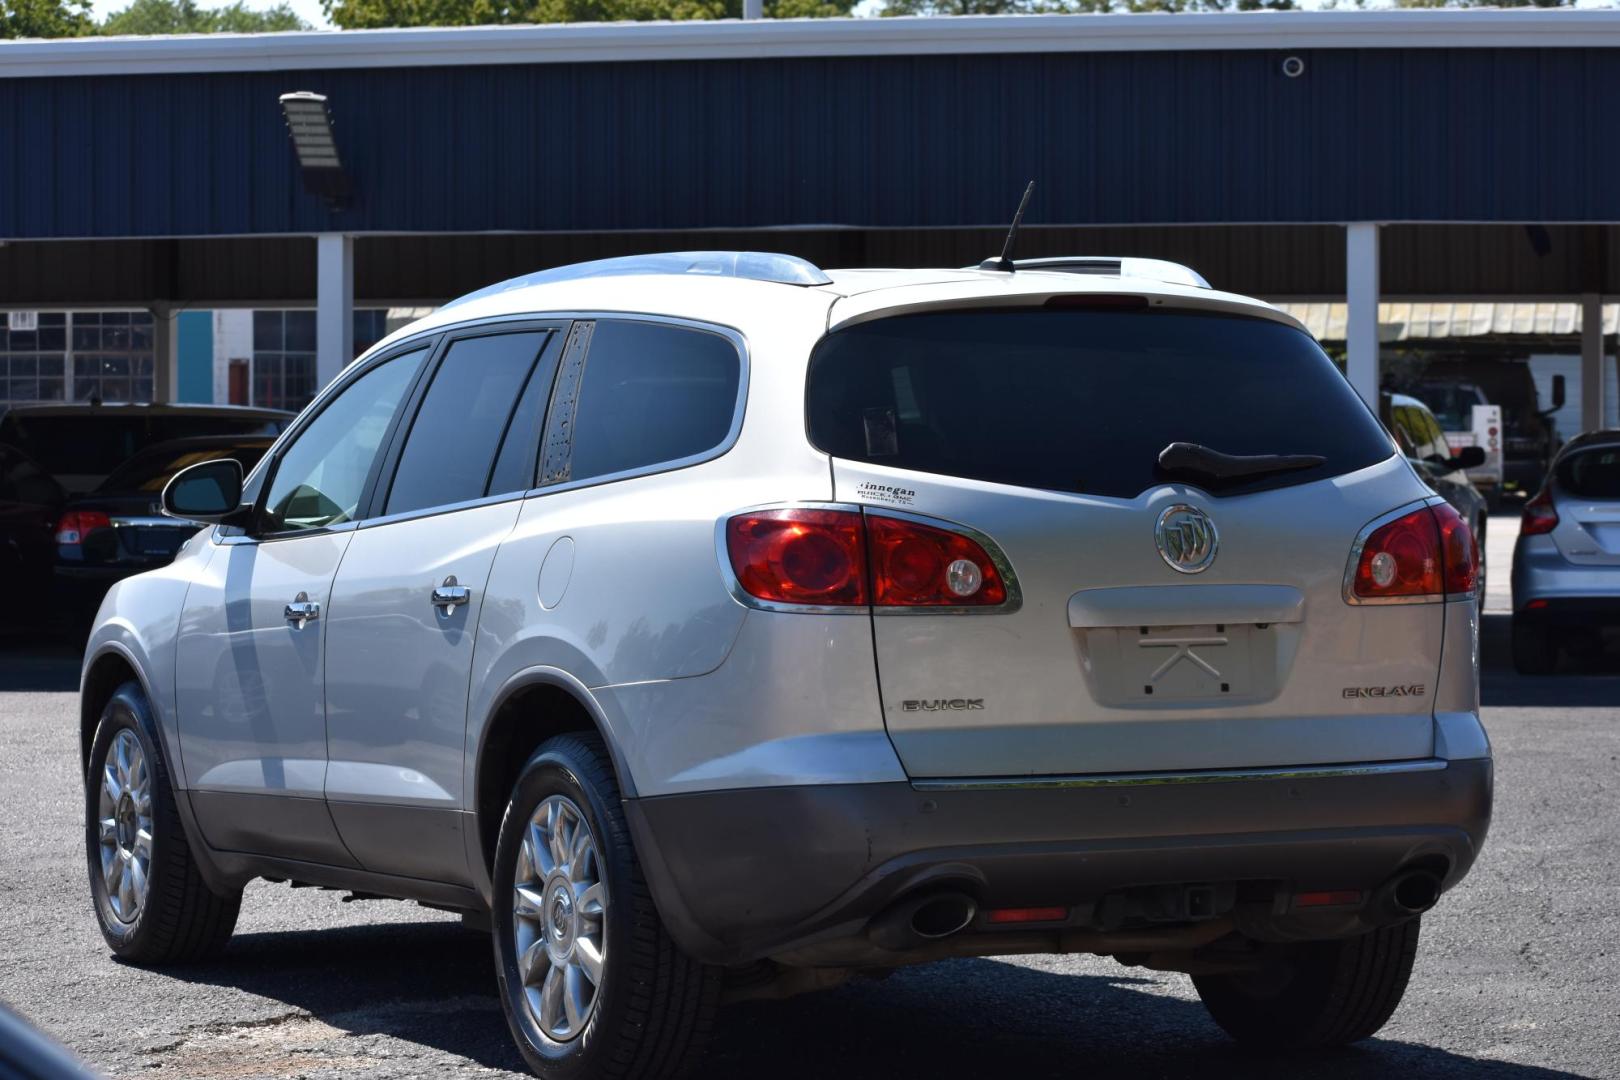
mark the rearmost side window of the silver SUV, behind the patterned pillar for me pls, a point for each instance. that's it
(652, 394)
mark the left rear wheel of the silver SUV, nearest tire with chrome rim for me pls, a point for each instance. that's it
(652, 1011)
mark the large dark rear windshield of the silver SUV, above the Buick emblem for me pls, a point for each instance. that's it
(1085, 401)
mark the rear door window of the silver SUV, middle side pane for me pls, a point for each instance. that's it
(453, 443)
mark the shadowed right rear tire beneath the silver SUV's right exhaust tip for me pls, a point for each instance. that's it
(1318, 993)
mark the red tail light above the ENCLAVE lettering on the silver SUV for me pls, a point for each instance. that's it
(1425, 555)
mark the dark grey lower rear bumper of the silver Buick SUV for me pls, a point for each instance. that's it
(743, 875)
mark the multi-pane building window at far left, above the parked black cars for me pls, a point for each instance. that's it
(79, 357)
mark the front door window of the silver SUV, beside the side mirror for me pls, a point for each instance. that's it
(323, 474)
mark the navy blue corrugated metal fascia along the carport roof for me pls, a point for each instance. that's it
(887, 142)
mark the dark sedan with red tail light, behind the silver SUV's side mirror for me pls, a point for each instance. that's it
(119, 529)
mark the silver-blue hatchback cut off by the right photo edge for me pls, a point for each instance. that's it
(1567, 558)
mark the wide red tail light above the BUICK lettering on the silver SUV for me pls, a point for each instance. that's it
(808, 556)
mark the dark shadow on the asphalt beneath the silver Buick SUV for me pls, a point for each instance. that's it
(433, 985)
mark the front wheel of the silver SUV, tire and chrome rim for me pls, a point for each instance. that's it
(177, 919)
